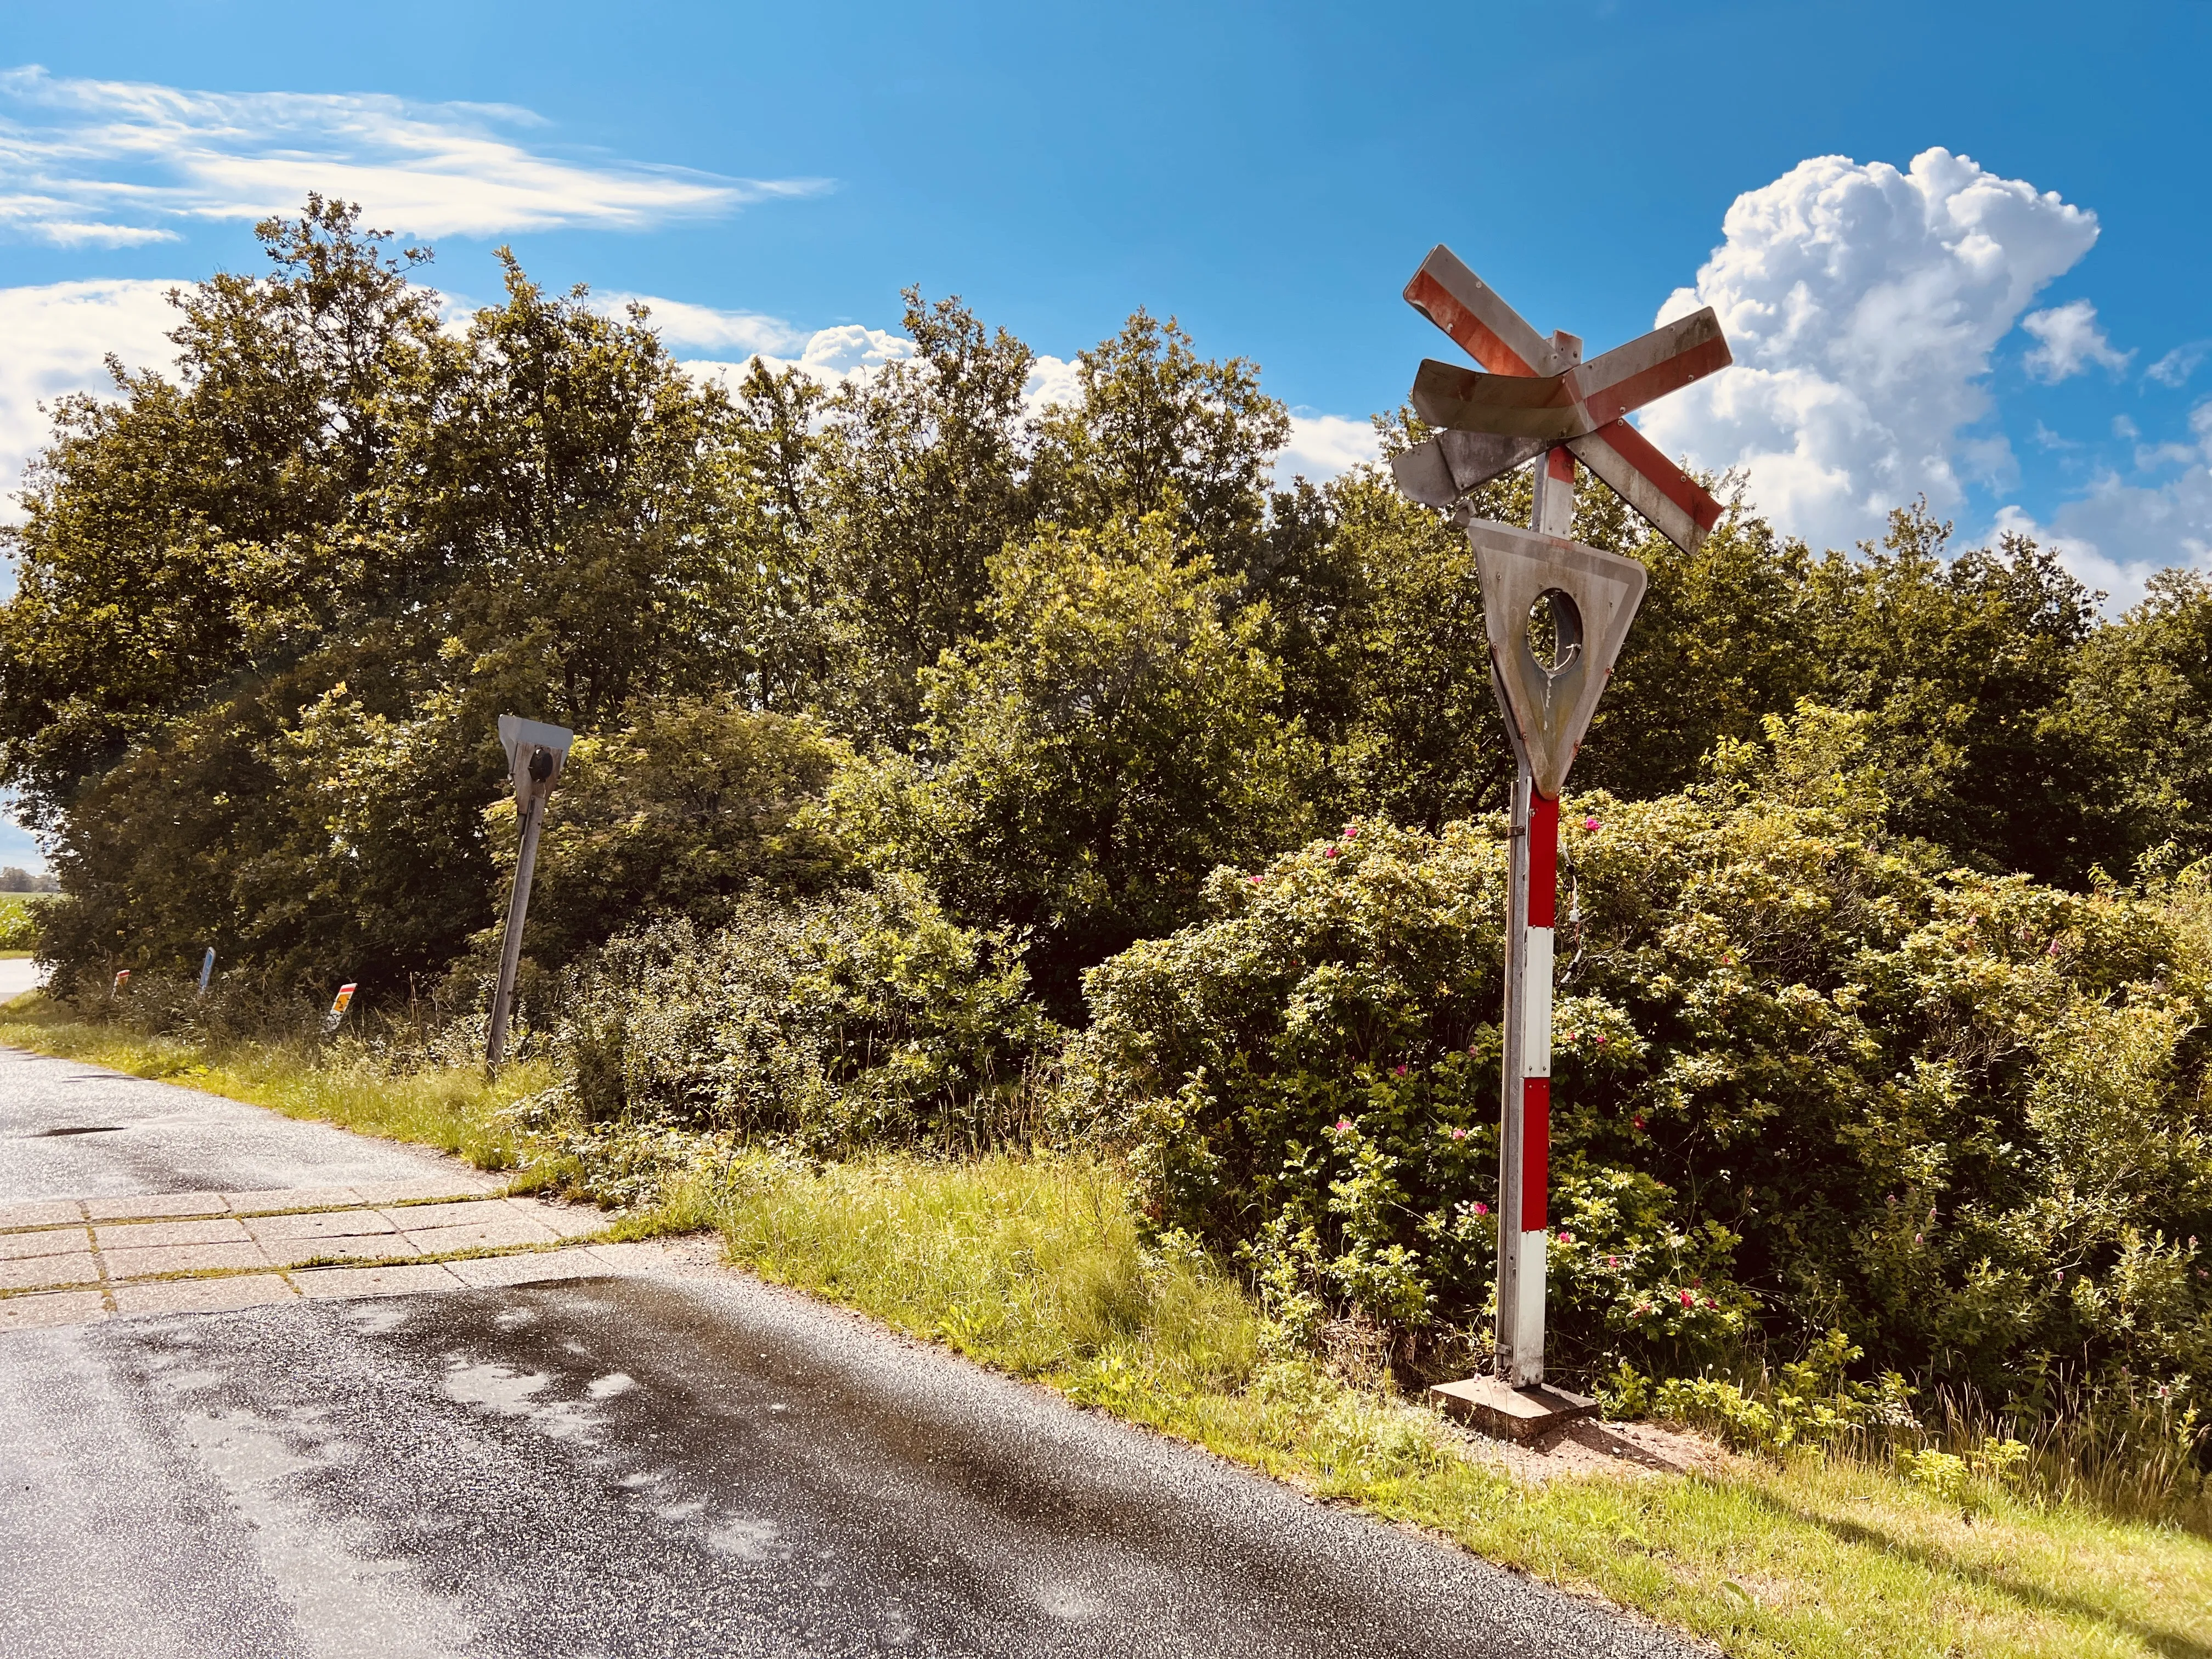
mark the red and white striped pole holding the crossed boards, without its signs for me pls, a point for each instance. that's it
(1525, 1087)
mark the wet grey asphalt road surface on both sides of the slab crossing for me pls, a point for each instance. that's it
(654, 1465)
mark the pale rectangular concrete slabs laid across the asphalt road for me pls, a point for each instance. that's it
(74, 1262)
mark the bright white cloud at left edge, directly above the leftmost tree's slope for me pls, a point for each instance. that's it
(56, 344)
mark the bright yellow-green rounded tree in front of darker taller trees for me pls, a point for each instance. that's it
(1096, 755)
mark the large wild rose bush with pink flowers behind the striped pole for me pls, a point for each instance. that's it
(1806, 1078)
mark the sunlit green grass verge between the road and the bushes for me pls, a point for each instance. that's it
(1034, 1264)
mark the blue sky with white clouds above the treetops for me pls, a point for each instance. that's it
(2016, 324)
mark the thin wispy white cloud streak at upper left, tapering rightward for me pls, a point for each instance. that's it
(125, 163)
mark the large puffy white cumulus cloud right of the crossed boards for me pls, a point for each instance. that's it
(1861, 306)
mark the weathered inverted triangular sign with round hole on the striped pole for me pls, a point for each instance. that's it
(1550, 707)
